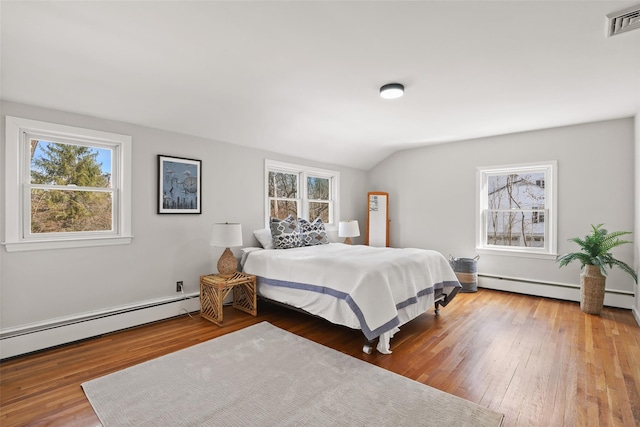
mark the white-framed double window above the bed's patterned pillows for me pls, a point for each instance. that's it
(301, 191)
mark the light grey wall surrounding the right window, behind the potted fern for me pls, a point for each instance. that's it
(432, 194)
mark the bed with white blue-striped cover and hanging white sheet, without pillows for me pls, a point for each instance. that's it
(373, 289)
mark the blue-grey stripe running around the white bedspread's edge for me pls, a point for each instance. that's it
(370, 334)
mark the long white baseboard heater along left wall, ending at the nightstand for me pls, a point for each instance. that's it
(29, 338)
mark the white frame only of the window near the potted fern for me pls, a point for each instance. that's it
(550, 169)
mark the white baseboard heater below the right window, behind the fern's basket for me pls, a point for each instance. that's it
(612, 298)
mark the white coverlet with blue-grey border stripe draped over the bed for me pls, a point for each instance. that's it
(374, 282)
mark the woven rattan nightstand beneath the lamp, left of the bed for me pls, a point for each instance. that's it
(214, 289)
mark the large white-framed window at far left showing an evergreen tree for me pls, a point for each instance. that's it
(65, 186)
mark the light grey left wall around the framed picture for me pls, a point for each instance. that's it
(41, 286)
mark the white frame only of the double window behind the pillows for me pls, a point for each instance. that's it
(303, 173)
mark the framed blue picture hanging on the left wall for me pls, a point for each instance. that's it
(179, 185)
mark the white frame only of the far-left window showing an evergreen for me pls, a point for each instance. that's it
(18, 236)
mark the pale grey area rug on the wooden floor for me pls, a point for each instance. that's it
(265, 376)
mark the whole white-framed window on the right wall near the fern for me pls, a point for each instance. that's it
(516, 209)
